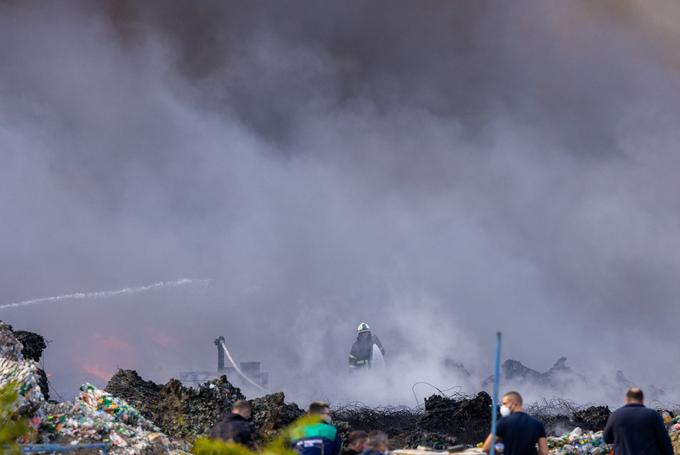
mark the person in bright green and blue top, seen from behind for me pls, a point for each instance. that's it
(318, 437)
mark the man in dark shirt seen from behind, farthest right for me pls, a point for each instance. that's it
(637, 430)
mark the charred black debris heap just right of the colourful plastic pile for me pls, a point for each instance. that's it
(186, 413)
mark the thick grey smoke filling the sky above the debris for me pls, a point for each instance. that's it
(441, 170)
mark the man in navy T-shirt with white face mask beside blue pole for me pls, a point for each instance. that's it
(518, 431)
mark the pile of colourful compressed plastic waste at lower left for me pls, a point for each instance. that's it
(93, 416)
